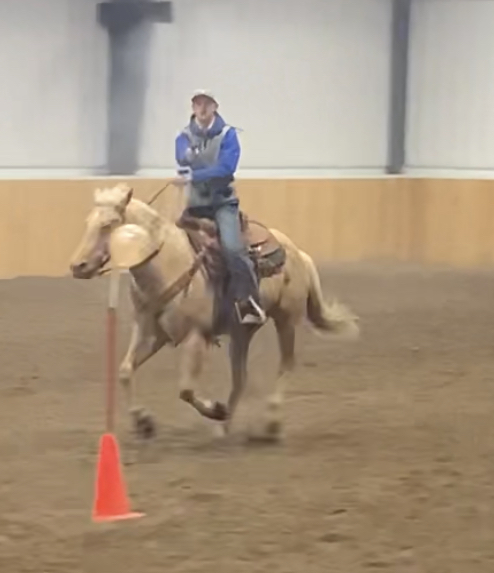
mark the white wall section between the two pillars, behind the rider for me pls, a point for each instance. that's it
(307, 80)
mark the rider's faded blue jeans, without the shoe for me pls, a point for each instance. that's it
(243, 282)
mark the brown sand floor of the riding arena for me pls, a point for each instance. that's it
(387, 462)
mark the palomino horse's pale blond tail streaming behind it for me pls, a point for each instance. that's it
(335, 318)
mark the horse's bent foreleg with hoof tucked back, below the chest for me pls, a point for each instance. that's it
(194, 349)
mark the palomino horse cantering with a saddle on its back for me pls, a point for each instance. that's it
(176, 275)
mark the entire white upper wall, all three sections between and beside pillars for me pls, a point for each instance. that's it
(307, 81)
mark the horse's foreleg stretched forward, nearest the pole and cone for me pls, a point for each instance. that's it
(144, 342)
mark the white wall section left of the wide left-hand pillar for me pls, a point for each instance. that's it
(53, 58)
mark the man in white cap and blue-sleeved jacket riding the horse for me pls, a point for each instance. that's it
(207, 151)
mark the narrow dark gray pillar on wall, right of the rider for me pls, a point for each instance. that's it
(398, 86)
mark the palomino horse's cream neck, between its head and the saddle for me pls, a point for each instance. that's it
(174, 252)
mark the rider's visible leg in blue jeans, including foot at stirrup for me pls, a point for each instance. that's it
(244, 285)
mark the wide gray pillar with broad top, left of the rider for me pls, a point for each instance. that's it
(129, 25)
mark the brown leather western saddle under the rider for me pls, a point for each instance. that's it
(267, 254)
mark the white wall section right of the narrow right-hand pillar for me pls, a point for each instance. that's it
(451, 85)
